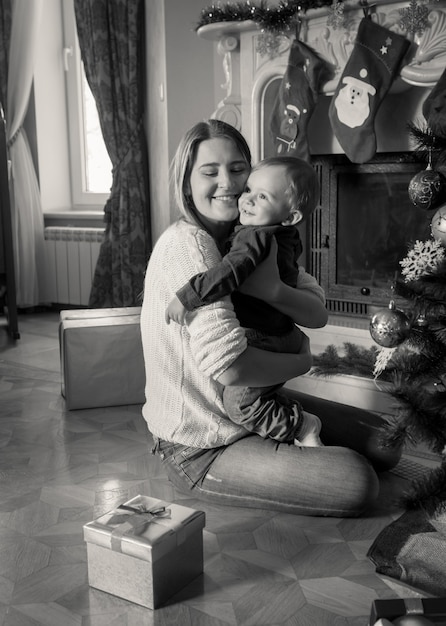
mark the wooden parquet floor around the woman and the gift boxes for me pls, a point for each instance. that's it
(60, 469)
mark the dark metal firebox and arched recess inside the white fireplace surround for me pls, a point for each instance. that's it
(366, 221)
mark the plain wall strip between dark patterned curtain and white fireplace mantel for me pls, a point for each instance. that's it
(180, 91)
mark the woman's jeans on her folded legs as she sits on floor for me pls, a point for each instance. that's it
(262, 473)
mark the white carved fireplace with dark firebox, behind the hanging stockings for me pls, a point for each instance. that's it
(354, 242)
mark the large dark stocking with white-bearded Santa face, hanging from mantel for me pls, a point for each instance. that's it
(366, 79)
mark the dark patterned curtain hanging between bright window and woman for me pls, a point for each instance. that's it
(111, 39)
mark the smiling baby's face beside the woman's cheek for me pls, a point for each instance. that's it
(264, 201)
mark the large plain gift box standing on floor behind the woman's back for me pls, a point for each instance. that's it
(102, 361)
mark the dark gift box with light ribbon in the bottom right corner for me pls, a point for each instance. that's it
(433, 609)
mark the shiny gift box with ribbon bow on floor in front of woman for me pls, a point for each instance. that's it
(145, 550)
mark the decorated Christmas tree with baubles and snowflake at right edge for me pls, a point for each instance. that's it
(413, 336)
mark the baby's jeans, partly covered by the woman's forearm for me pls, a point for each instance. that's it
(262, 410)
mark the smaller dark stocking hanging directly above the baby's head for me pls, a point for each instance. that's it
(306, 72)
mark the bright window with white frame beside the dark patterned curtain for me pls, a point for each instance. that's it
(91, 168)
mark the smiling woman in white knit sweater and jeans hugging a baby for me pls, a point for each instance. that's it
(187, 366)
